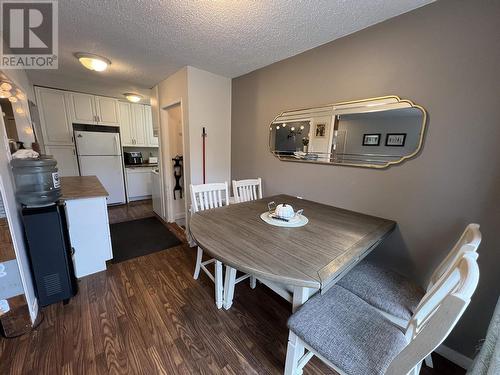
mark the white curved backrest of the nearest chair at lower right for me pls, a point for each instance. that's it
(438, 312)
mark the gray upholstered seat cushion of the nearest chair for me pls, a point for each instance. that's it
(348, 332)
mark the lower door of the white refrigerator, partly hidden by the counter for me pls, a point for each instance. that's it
(109, 170)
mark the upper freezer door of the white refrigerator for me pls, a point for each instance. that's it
(97, 143)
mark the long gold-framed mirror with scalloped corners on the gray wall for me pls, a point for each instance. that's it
(372, 133)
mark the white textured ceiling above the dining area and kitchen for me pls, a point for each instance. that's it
(147, 40)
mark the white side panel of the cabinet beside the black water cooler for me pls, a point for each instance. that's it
(88, 227)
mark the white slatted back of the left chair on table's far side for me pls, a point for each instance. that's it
(208, 196)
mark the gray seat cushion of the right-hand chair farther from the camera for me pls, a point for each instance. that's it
(384, 289)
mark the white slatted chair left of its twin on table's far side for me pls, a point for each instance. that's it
(204, 197)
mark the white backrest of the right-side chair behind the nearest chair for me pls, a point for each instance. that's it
(469, 241)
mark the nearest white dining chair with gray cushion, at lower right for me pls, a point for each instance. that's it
(353, 337)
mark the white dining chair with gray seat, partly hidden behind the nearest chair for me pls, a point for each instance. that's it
(396, 296)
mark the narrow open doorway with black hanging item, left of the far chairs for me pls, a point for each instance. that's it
(172, 165)
